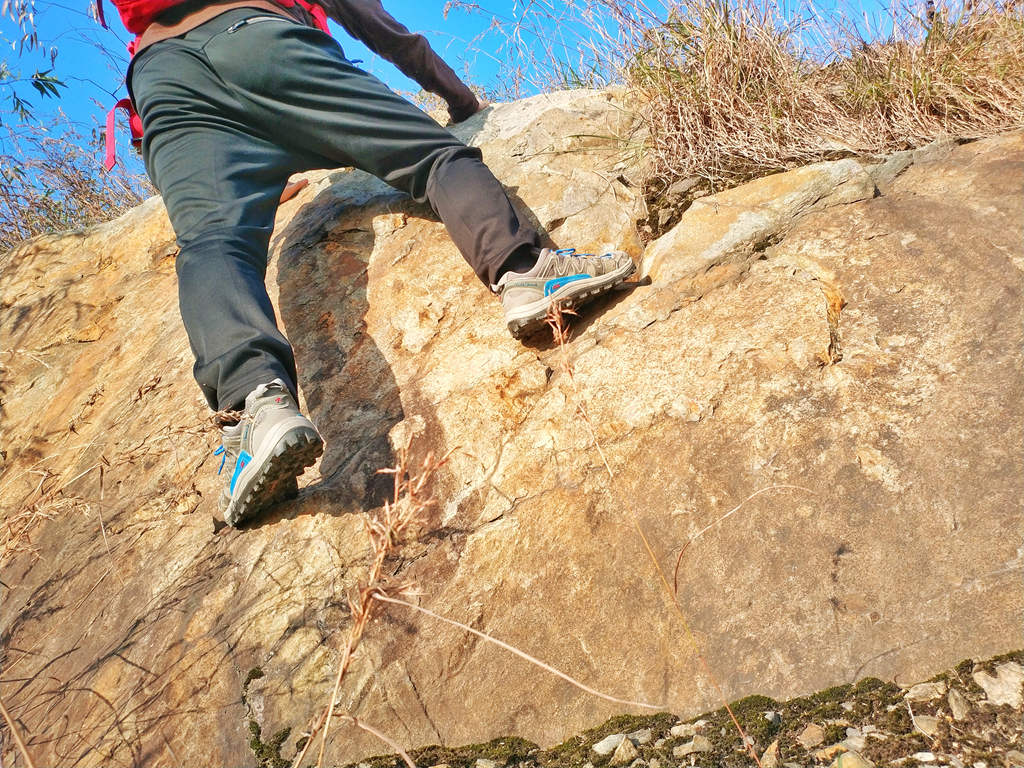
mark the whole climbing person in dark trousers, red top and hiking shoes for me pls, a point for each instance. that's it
(234, 98)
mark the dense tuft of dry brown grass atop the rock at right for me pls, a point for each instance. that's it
(733, 94)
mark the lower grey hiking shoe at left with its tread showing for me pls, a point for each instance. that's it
(271, 447)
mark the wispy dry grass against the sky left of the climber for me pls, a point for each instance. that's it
(51, 182)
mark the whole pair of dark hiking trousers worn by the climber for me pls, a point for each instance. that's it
(234, 108)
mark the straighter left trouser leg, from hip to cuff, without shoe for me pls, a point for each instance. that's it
(221, 184)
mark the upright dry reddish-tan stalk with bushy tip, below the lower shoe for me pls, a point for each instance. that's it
(400, 520)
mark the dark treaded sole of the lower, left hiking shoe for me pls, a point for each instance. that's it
(294, 452)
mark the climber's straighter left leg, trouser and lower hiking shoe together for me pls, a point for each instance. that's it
(222, 183)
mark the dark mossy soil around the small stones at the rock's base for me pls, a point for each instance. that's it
(877, 712)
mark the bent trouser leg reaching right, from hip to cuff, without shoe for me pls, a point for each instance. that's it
(305, 96)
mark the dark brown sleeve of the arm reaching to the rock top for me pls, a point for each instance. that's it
(367, 21)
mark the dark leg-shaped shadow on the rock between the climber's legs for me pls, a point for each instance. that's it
(351, 393)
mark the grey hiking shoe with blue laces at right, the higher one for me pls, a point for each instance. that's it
(565, 277)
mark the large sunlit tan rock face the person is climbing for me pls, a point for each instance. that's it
(820, 394)
